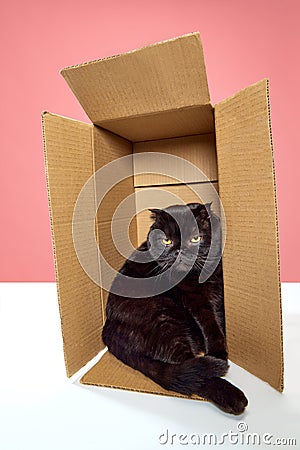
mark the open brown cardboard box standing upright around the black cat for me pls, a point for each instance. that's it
(156, 99)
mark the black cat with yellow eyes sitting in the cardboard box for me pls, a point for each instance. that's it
(177, 337)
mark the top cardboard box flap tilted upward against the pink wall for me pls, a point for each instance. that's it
(160, 77)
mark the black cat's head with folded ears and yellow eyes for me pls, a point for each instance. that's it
(181, 236)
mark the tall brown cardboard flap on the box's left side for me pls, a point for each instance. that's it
(69, 164)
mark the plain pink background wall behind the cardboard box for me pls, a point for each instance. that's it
(243, 42)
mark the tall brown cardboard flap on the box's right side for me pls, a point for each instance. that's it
(251, 256)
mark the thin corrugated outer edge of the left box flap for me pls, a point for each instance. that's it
(44, 113)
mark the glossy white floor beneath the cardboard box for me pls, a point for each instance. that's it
(40, 409)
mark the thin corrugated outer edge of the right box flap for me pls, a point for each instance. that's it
(277, 229)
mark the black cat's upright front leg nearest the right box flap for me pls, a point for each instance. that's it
(204, 315)
